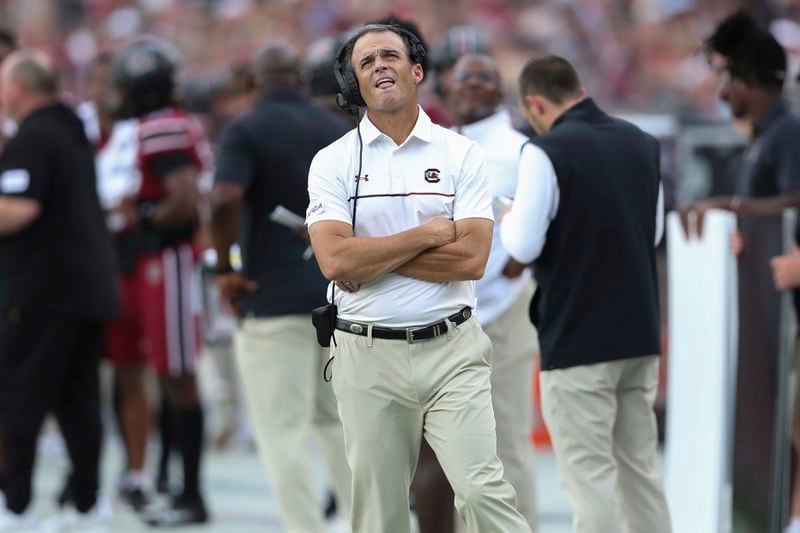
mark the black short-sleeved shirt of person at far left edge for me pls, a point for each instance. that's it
(61, 264)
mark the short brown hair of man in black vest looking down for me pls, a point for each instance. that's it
(550, 76)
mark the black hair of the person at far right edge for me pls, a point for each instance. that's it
(752, 54)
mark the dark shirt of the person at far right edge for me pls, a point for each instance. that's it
(771, 164)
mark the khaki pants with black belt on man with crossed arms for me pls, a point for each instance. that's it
(392, 393)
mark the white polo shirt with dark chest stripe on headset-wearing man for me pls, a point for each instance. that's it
(435, 172)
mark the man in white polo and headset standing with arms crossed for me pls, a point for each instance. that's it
(410, 359)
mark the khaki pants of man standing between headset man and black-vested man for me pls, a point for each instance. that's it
(515, 345)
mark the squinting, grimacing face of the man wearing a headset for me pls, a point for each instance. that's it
(386, 76)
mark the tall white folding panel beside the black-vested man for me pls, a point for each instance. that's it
(701, 368)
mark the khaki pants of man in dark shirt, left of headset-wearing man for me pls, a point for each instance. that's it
(281, 366)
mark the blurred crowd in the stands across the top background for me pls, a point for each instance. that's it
(639, 56)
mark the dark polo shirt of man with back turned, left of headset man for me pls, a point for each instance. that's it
(268, 152)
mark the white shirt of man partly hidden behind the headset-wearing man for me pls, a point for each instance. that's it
(502, 144)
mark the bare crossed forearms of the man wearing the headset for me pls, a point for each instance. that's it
(439, 250)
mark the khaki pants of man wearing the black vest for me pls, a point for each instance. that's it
(604, 435)
